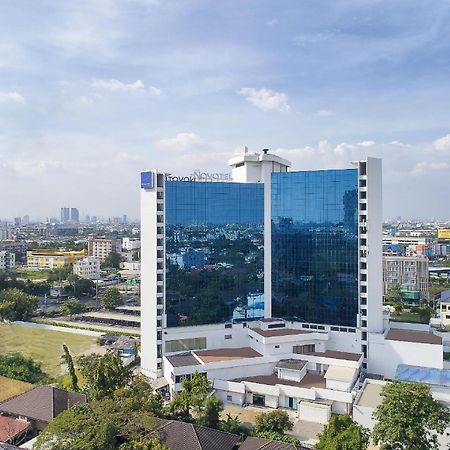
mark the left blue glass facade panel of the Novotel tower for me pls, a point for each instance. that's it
(214, 252)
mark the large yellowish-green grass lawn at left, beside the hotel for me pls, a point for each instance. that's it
(44, 346)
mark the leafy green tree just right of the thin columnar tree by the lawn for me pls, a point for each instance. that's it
(103, 374)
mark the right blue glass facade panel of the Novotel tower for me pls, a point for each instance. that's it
(315, 246)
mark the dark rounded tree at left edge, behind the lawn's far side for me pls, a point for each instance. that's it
(16, 305)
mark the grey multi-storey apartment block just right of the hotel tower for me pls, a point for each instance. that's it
(408, 272)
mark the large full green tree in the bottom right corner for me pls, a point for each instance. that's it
(409, 418)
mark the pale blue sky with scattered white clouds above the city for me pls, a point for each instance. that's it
(93, 91)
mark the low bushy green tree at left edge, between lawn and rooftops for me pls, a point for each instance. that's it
(19, 367)
